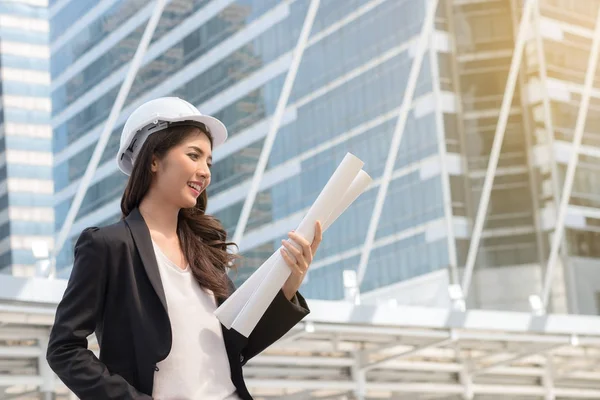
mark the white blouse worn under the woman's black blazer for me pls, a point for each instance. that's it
(197, 366)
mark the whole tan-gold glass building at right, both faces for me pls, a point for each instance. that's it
(535, 152)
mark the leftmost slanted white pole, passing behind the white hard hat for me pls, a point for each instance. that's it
(109, 126)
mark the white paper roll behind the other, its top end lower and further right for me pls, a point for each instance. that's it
(235, 303)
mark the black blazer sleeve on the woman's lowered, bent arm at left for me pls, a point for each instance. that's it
(76, 316)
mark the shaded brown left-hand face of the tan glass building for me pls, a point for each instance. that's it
(484, 44)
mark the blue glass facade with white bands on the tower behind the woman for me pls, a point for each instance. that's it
(345, 99)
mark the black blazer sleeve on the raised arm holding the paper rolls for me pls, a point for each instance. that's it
(281, 316)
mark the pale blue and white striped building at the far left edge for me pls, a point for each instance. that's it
(26, 184)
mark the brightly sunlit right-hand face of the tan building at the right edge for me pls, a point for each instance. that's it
(565, 61)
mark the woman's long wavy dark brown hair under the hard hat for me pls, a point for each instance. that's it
(203, 238)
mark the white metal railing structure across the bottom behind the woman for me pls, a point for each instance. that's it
(365, 351)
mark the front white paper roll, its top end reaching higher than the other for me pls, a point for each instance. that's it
(325, 204)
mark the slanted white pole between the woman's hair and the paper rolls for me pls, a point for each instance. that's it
(276, 122)
